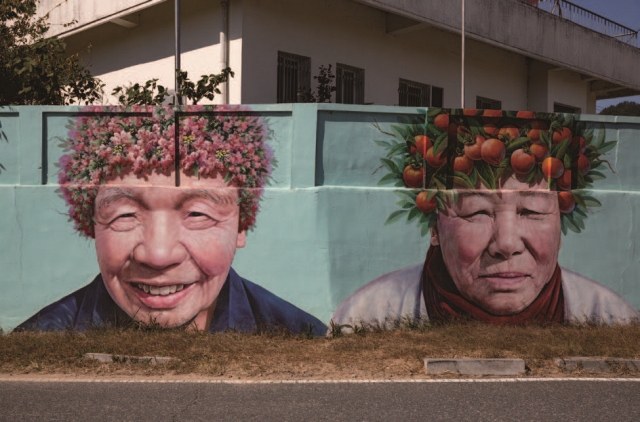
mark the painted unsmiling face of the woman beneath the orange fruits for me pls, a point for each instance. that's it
(501, 247)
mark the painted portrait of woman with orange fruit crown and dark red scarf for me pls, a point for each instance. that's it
(495, 191)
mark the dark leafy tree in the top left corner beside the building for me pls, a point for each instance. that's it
(35, 69)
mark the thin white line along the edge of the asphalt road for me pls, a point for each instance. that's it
(315, 381)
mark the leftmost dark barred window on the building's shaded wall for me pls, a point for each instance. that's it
(294, 77)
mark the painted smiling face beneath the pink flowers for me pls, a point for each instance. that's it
(164, 251)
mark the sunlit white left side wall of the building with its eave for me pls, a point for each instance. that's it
(120, 56)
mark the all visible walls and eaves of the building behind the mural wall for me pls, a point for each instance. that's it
(327, 31)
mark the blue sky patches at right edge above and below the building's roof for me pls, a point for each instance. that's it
(624, 12)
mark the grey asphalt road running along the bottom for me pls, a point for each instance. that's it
(546, 400)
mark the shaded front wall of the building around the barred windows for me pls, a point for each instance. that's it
(332, 31)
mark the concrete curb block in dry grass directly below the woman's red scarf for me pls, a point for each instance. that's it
(470, 366)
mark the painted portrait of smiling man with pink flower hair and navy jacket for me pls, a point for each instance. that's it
(166, 230)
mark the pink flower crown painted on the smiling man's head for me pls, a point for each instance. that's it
(113, 140)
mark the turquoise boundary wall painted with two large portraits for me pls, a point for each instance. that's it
(346, 213)
